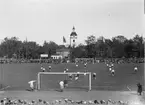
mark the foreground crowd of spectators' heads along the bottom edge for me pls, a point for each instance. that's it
(11, 101)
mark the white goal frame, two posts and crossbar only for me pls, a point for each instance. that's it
(40, 73)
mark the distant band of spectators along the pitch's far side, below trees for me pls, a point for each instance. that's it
(77, 60)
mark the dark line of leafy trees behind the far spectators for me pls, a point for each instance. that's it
(117, 47)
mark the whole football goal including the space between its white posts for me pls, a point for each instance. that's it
(50, 80)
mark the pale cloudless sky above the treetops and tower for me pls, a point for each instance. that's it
(50, 20)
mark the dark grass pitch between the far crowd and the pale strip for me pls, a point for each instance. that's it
(17, 76)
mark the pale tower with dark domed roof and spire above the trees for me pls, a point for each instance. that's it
(73, 37)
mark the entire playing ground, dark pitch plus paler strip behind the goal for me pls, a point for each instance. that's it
(17, 76)
